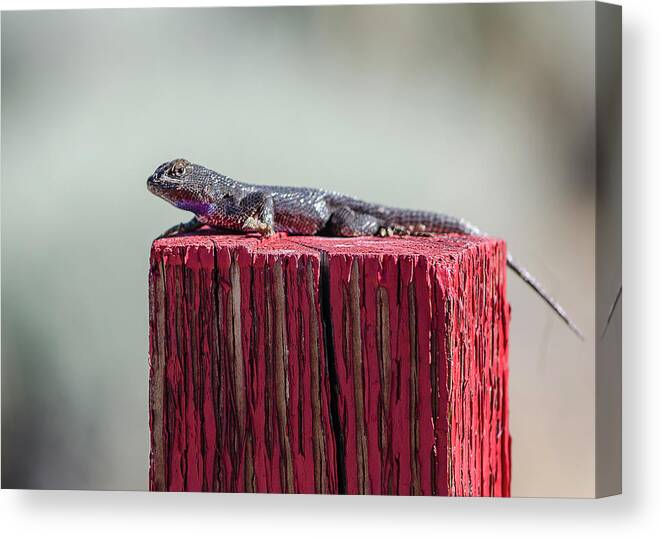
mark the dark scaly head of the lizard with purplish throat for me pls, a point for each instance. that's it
(184, 184)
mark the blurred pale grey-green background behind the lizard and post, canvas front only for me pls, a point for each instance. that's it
(482, 111)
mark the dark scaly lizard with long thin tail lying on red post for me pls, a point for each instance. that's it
(221, 202)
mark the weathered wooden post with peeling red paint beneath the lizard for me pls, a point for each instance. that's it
(329, 365)
